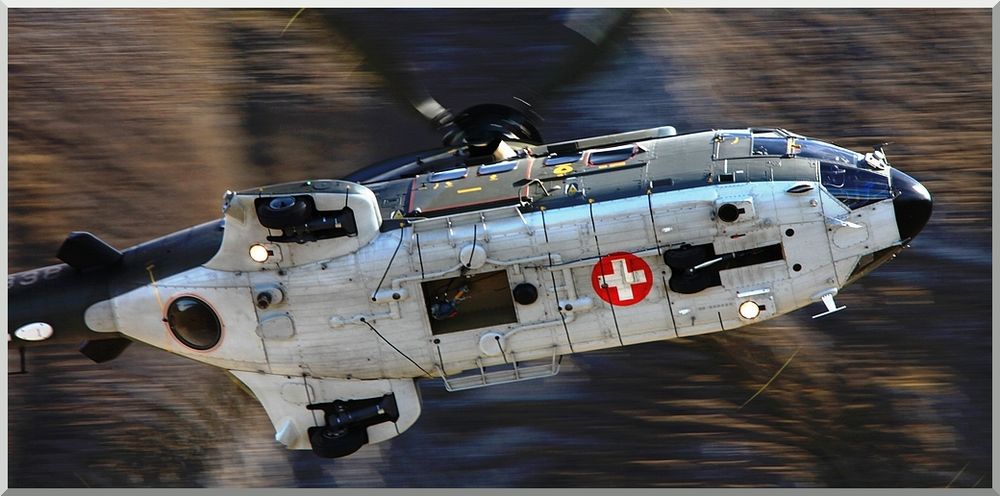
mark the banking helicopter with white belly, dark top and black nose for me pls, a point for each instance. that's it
(479, 263)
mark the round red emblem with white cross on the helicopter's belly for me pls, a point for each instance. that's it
(622, 279)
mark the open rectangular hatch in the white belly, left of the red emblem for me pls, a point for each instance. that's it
(469, 302)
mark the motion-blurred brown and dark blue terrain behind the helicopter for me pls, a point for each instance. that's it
(133, 123)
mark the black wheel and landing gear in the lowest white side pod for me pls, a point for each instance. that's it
(347, 422)
